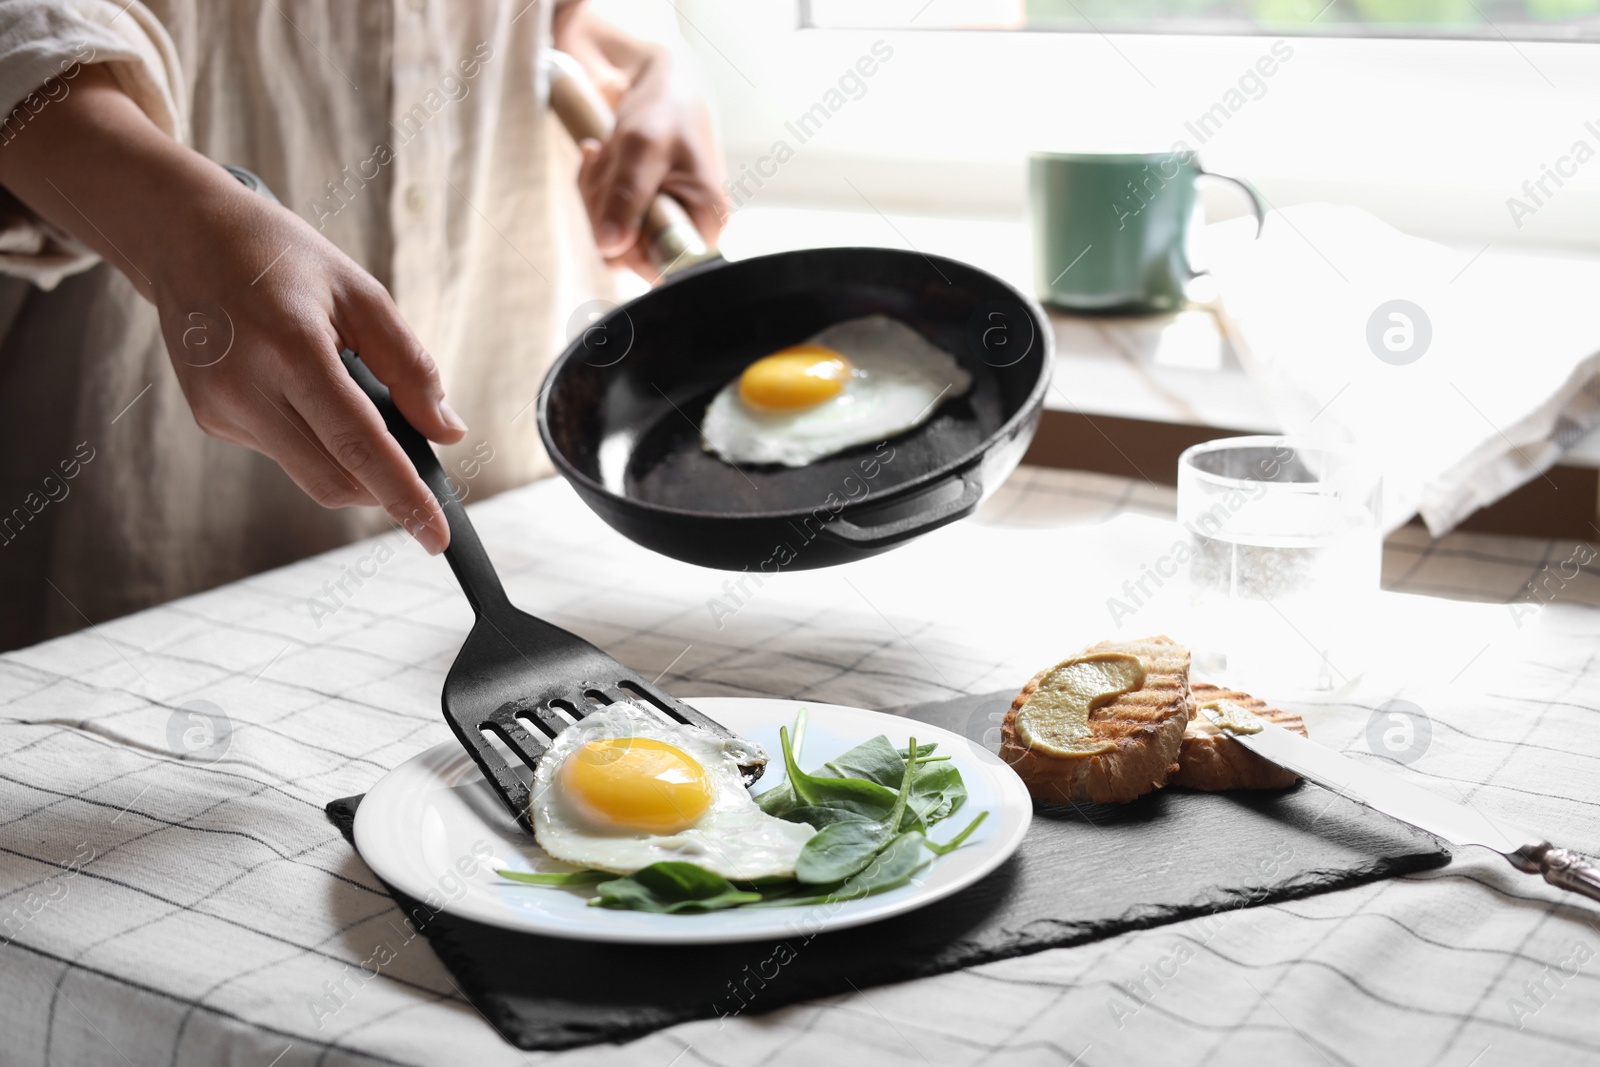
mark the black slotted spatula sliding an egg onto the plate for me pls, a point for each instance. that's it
(518, 677)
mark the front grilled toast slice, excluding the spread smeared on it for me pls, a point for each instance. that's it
(1146, 729)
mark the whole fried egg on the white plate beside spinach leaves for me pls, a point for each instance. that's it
(623, 789)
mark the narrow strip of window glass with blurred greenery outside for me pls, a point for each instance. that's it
(1494, 20)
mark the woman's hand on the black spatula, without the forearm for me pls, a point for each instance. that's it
(254, 274)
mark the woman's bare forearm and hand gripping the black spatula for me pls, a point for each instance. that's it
(255, 303)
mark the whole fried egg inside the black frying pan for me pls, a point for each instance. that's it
(857, 383)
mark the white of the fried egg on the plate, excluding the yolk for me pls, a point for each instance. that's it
(734, 839)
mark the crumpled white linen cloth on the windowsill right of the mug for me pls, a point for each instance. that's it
(1463, 374)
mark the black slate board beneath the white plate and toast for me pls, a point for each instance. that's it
(1082, 874)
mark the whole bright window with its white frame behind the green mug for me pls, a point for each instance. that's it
(1434, 135)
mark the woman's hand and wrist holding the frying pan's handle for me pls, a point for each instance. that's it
(663, 142)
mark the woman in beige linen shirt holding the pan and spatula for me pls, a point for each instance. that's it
(172, 407)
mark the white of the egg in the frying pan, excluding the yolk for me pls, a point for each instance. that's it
(900, 380)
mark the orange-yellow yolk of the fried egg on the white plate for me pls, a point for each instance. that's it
(638, 785)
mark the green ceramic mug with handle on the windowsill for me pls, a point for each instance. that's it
(1111, 231)
